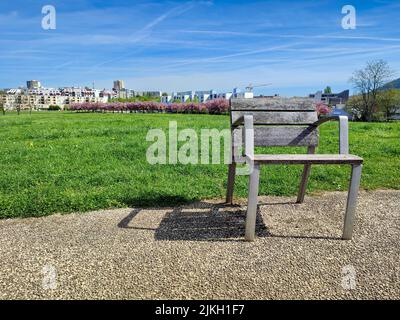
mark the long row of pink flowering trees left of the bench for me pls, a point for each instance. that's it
(217, 106)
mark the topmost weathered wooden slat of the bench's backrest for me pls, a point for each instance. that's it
(273, 104)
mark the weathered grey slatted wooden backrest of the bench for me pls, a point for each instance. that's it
(277, 121)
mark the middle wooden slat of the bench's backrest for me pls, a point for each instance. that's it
(270, 117)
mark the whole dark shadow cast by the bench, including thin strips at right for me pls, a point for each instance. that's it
(204, 221)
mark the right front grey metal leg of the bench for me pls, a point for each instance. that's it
(352, 202)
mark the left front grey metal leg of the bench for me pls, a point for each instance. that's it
(252, 203)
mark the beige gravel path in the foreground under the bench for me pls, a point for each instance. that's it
(198, 251)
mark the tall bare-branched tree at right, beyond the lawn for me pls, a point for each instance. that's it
(368, 82)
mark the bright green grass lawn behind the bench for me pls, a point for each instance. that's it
(65, 162)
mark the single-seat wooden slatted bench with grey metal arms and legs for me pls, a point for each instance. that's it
(283, 122)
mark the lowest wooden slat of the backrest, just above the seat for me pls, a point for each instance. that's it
(280, 136)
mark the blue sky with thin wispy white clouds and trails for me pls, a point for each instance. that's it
(298, 46)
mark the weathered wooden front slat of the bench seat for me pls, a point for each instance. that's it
(308, 159)
